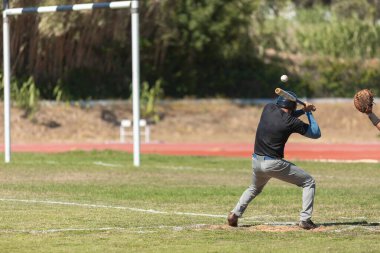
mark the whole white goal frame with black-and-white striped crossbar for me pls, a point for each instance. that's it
(134, 7)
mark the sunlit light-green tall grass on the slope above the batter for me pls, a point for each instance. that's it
(320, 31)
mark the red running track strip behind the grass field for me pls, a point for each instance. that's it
(296, 151)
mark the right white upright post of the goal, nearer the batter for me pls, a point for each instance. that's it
(136, 82)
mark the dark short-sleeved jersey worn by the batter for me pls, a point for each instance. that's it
(274, 129)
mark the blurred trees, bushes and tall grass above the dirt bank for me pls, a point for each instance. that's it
(201, 48)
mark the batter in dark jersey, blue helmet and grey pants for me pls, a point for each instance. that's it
(278, 121)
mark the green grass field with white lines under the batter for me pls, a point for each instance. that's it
(98, 202)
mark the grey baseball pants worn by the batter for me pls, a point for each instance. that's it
(263, 170)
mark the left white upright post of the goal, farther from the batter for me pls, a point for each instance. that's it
(6, 84)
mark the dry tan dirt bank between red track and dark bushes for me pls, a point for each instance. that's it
(182, 121)
